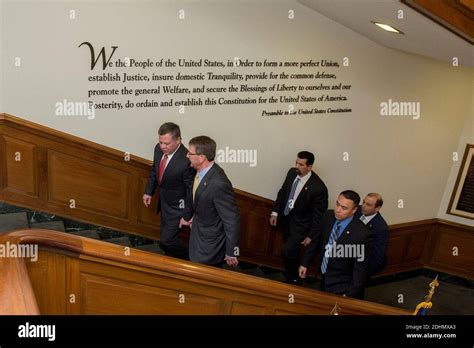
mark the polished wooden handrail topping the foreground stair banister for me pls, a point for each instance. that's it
(16, 294)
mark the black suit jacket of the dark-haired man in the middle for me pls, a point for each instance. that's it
(312, 202)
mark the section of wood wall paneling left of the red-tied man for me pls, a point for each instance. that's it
(57, 167)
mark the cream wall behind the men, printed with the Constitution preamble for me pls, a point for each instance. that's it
(400, 157)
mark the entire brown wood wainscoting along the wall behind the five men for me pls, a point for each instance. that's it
(107, 190)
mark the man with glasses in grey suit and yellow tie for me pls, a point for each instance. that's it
(215, 225)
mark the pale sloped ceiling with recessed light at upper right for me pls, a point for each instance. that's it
(422, 35)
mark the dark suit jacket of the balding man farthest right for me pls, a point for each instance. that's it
(380, 230)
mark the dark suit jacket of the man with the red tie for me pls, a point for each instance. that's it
(175, 188)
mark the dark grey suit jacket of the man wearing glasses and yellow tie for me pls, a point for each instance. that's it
(216, 220)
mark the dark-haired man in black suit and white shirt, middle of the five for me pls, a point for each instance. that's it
(300, 204)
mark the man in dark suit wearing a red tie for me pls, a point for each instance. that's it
(173, 175)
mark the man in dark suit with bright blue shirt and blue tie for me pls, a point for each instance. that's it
(347, 246)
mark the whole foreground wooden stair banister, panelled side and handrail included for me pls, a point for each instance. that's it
(76, 275)
